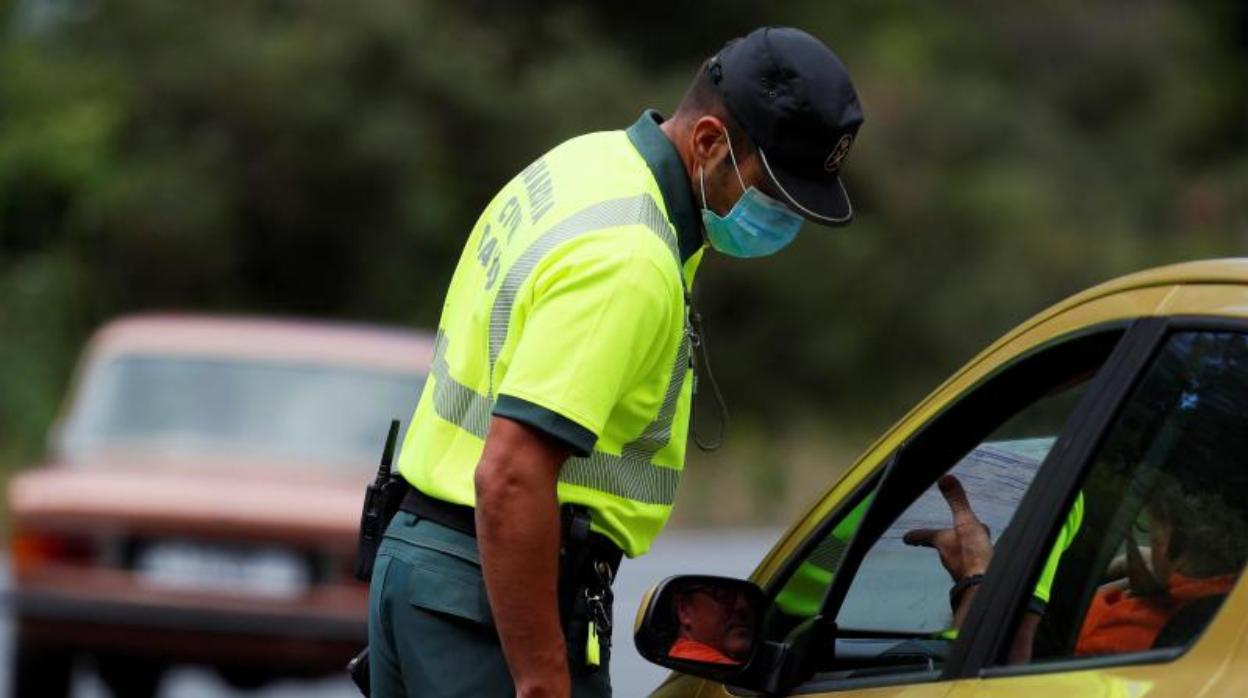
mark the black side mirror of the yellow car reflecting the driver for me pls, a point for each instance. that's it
(701, 626)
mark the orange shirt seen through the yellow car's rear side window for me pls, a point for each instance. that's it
(1119, 622)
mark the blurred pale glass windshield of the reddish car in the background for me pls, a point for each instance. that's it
(326, 414)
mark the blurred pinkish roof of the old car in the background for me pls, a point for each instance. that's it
(286, 340)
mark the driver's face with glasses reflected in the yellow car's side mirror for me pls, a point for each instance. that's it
(718, 619)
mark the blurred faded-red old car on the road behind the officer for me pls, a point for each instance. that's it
(202, 500)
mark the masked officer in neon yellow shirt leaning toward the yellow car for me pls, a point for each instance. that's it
(562, 379)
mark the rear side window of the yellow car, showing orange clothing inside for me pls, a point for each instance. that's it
(1165, 534)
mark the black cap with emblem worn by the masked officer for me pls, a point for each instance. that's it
(794, 99)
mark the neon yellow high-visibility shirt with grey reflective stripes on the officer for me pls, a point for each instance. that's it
(567, 313)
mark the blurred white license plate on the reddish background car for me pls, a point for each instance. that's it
(266, 573)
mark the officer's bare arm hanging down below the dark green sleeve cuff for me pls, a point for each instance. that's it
(519, 533)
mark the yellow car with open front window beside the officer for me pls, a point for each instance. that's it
(1066, 516)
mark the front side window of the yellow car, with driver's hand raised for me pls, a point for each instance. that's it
(993, 440)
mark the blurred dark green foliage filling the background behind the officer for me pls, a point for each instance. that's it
(319, 158)
